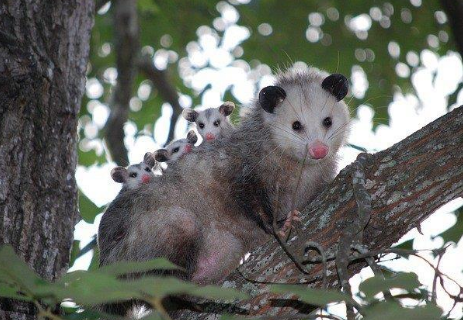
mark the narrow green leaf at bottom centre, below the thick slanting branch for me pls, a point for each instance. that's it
(317, 297)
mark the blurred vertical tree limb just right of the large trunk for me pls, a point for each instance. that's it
(126, 33)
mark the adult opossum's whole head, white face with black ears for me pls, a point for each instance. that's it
(305, 113)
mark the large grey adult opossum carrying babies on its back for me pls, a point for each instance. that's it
(219, 202)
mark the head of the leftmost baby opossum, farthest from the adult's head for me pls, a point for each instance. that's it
(135, 175)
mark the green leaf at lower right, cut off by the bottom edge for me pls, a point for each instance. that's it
(393, 310)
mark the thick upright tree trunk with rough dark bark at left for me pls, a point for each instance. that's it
(43, 59)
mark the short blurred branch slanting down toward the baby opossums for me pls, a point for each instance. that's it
(161, 81)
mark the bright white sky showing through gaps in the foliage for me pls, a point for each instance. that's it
(435, 79)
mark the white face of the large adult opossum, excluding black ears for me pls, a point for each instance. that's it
(309, 123)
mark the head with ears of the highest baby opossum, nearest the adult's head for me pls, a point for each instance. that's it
(211, 123)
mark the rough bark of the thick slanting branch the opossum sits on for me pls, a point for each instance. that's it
(407, 183)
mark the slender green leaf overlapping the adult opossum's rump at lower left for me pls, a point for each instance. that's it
(126, 267)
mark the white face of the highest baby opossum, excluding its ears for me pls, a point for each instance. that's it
(211, 124)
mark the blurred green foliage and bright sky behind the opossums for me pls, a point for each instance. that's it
(150, 59)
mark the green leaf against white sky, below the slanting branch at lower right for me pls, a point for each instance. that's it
(372, 286)
